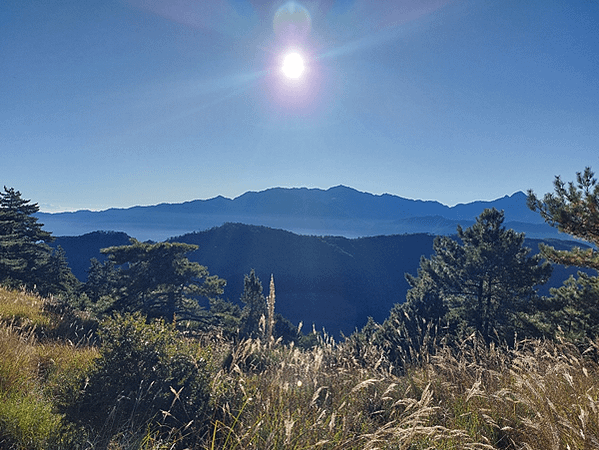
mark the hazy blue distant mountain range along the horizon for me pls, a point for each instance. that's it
(338, 211)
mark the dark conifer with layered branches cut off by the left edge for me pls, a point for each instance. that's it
(26, 259)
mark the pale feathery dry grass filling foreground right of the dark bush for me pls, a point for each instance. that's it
(539, 395)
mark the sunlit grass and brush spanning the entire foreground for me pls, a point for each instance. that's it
(535, 395)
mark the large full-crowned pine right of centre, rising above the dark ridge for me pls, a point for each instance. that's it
(482, 283)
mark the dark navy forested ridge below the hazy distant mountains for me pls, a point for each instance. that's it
(333, 282)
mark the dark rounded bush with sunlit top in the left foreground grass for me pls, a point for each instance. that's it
(146, 376)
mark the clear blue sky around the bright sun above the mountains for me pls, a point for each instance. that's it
(116, 103)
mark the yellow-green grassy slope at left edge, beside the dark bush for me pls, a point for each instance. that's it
(35, 376)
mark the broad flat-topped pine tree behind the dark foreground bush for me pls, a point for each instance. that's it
(156, 279)
